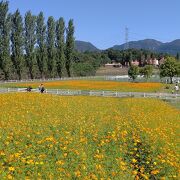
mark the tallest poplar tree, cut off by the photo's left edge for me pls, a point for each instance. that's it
(5, 20)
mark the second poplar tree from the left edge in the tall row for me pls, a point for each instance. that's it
(17, 43)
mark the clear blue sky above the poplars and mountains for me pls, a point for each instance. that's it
(103, 22)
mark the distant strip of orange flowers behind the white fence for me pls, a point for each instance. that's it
(96, 85)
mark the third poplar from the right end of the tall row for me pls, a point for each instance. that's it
(51, 46)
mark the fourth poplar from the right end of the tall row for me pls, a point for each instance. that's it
(41, 42)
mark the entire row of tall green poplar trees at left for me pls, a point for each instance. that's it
(31, 48)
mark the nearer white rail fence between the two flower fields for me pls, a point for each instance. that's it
(70, 92)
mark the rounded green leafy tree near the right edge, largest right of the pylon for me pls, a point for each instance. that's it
(170, 68)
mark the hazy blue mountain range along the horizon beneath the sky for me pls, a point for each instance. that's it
(148, 44)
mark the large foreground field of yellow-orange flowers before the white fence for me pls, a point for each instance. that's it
(45, 137)
